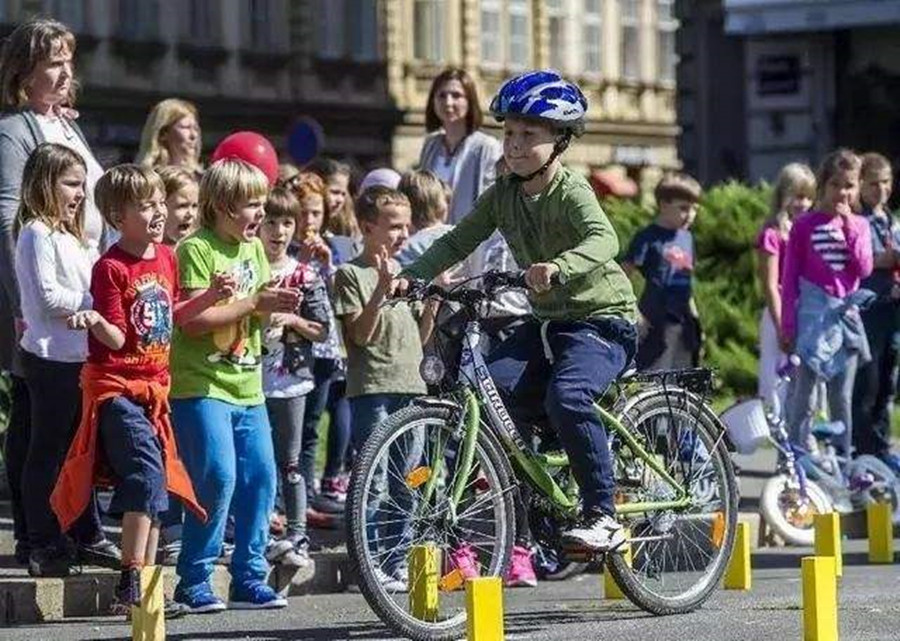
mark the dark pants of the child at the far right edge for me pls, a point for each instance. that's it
(875, 383)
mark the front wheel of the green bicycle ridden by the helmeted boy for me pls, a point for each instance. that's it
(401, 501)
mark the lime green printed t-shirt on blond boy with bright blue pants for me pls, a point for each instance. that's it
(224, 364)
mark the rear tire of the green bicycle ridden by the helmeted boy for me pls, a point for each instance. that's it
(705, 423)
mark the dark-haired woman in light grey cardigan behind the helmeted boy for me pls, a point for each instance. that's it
(455, 150)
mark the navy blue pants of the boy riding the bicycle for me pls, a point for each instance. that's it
(587, 357)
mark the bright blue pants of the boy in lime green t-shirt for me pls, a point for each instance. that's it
(228, 452)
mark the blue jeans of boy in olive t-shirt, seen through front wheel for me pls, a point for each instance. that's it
(368, 412)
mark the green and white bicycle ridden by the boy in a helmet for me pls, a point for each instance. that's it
(443, 473)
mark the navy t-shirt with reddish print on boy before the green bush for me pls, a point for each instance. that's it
(665, 258)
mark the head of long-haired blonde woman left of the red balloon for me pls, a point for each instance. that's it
(171, 136)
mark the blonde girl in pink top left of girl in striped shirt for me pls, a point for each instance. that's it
(794, 192)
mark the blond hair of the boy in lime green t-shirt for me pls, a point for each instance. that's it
(227, 183)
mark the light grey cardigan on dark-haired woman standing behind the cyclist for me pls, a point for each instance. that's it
(475, 169)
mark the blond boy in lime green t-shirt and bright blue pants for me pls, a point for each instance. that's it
(218, 407)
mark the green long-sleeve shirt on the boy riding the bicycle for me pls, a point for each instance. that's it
(564, 225)
